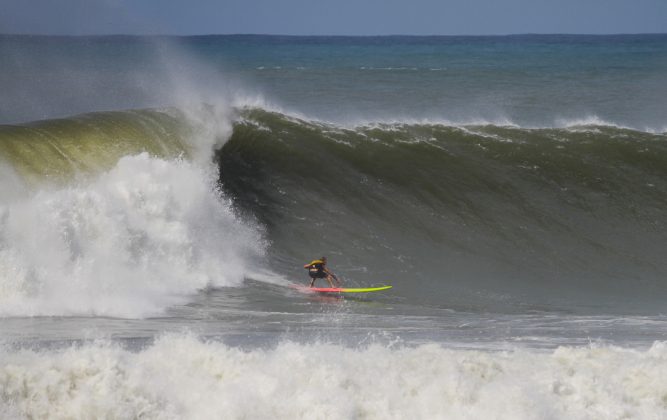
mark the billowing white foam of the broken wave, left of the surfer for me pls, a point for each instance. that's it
(139, 238)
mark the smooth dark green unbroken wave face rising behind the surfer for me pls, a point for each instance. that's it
(470, 213)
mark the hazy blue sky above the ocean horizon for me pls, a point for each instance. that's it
(332, 17)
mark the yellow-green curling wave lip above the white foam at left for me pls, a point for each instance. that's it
(63, 149)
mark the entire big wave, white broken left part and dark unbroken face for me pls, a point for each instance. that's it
(481, 216)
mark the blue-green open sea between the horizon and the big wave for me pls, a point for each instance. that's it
(525, 80)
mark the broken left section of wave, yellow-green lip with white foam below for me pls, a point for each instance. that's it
(138, 226)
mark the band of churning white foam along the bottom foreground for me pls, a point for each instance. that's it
(182, 377)
